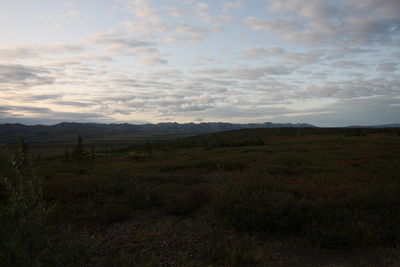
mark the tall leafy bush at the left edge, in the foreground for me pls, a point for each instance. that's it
(23, 212)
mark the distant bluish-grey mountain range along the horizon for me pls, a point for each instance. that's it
(9, 132)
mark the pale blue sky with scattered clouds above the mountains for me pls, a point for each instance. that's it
(324, 62)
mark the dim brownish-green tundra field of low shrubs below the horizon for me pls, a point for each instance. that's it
(248, 197)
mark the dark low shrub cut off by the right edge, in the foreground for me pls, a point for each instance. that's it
(363, 219)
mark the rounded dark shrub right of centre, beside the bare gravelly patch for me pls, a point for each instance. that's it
(261, 205)
